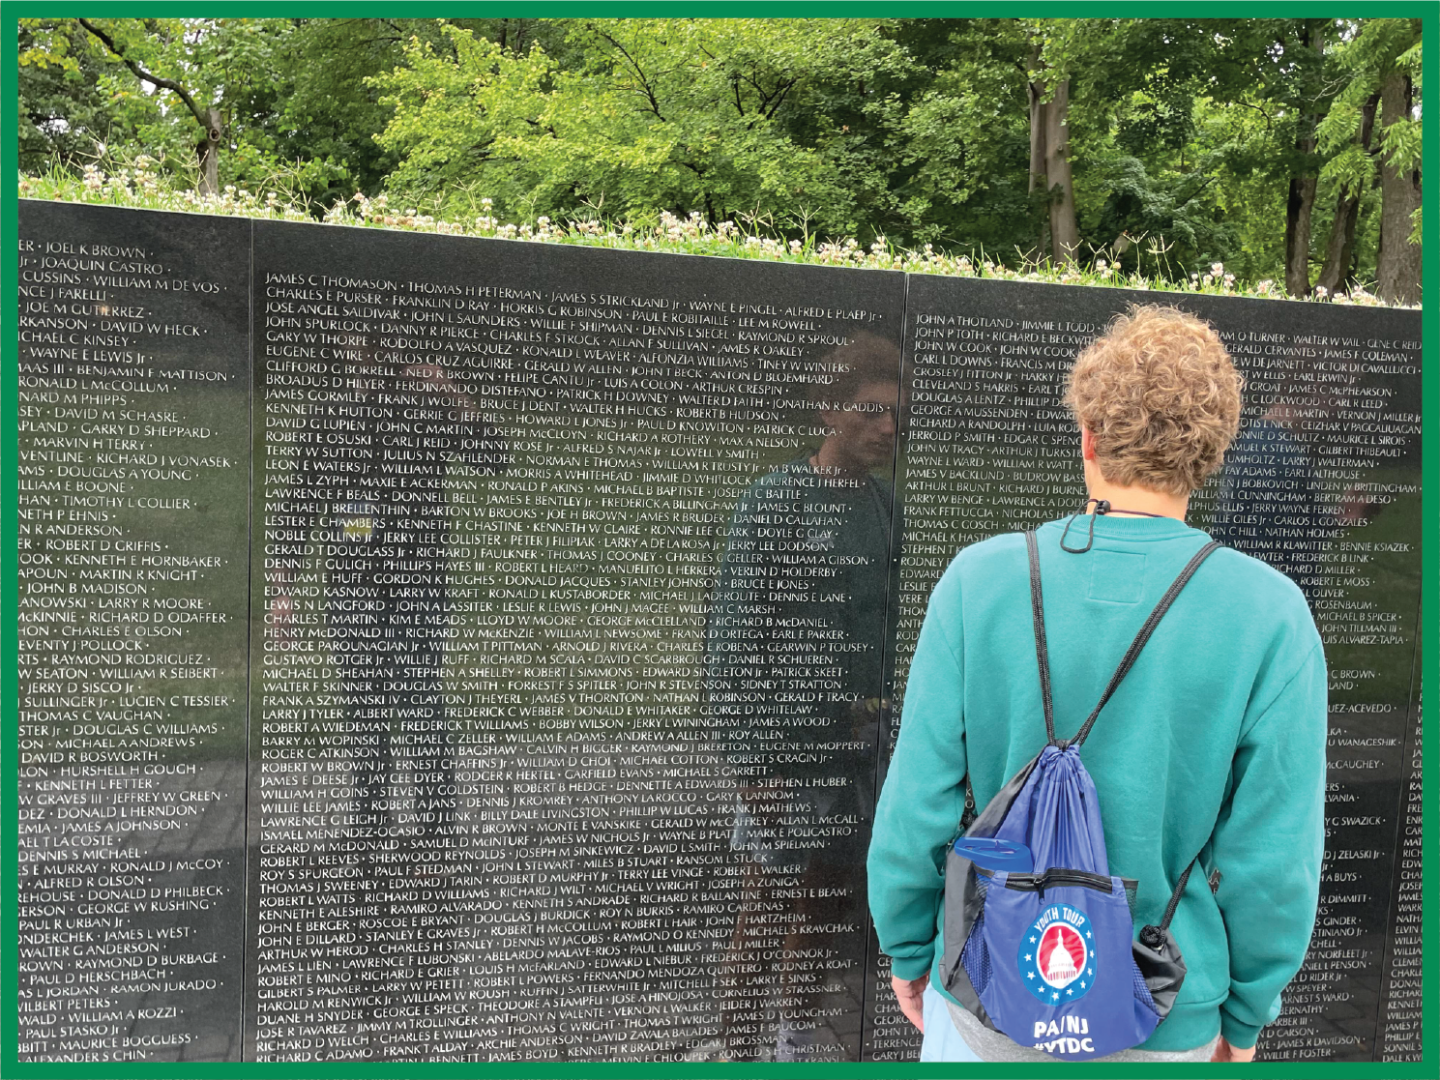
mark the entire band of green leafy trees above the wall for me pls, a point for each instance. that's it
(1164, 146)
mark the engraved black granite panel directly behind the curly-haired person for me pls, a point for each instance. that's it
(1323, 483)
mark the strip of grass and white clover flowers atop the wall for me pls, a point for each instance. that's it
(140, 185)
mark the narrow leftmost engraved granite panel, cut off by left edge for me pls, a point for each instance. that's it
(133, 551)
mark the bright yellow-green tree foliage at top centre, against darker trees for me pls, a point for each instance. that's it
(715, 116)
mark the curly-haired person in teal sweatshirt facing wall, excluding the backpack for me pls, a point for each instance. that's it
(1215, 744)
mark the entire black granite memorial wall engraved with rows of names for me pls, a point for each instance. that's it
(451, 649)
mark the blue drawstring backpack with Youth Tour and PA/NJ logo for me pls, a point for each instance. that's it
(1048, 955)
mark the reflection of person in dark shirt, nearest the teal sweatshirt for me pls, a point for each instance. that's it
(797, 693)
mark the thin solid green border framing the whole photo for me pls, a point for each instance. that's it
(9, 639)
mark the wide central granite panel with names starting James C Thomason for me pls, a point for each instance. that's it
(570, 682)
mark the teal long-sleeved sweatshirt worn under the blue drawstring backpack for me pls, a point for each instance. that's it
(1215, 745)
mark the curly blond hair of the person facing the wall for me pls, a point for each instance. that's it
(1161, 398)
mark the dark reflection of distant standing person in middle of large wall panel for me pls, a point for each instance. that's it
(372, 477)
